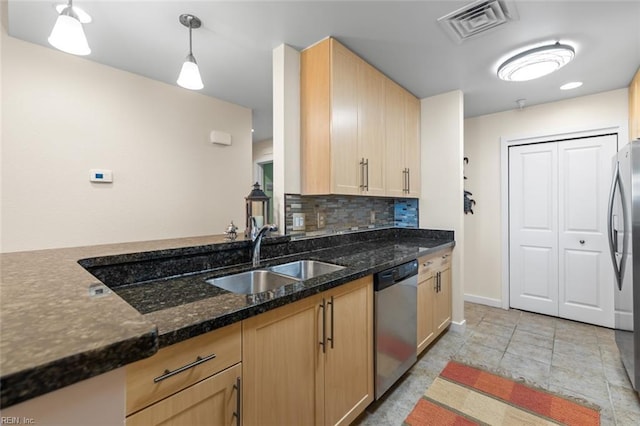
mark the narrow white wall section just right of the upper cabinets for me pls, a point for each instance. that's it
(441, 205)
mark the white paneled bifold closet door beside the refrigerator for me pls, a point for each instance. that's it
(559, 262)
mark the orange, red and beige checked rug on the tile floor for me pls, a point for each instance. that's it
(464, 395)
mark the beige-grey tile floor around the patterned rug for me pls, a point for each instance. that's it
(565, 357)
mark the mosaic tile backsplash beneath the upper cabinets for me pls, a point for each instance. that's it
(321, 214)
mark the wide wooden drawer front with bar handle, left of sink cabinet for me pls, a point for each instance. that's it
(150, 379)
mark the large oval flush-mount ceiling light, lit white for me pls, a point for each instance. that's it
(535, 63)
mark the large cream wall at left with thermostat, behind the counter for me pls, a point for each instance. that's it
(64, 115)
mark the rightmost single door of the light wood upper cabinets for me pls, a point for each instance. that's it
(412, 143)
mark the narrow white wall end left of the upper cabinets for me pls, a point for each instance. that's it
(286, 127)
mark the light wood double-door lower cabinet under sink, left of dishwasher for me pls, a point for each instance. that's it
(310, 362)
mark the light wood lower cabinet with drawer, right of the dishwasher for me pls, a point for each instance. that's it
(434, 296)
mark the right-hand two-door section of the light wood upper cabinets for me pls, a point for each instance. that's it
(402, 142)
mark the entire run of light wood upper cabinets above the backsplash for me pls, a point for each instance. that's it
(348, 129)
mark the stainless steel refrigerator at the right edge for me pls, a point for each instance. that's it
(624, 241)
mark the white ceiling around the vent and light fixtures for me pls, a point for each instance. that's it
(401, 38)
